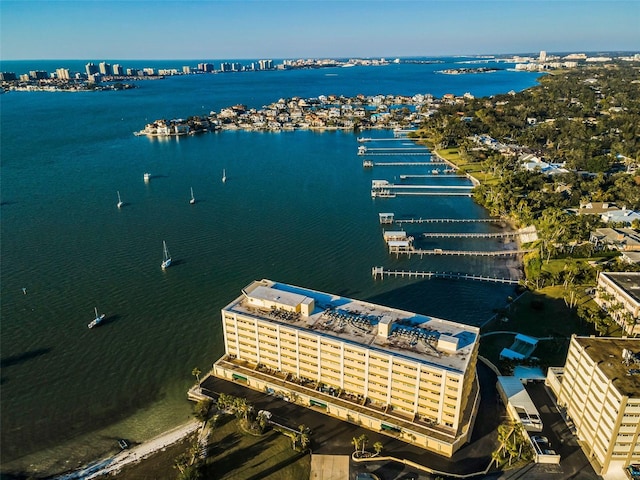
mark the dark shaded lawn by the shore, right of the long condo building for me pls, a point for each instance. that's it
(539, 314)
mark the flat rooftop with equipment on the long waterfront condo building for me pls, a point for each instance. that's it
(429, 340)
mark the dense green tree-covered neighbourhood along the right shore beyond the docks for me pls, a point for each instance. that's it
(586, 118)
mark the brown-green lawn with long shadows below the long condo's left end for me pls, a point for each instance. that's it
(240, 456)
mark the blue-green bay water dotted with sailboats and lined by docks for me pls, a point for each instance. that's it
(296, 208)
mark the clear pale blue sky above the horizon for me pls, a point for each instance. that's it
(240, 29)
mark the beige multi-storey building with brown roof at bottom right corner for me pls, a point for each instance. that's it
(600, 390)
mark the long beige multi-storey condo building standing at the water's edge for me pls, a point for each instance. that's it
(407, 375)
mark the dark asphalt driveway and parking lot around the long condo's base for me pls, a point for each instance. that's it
(331, 436)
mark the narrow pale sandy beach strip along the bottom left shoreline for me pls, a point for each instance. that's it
(132, 455)
